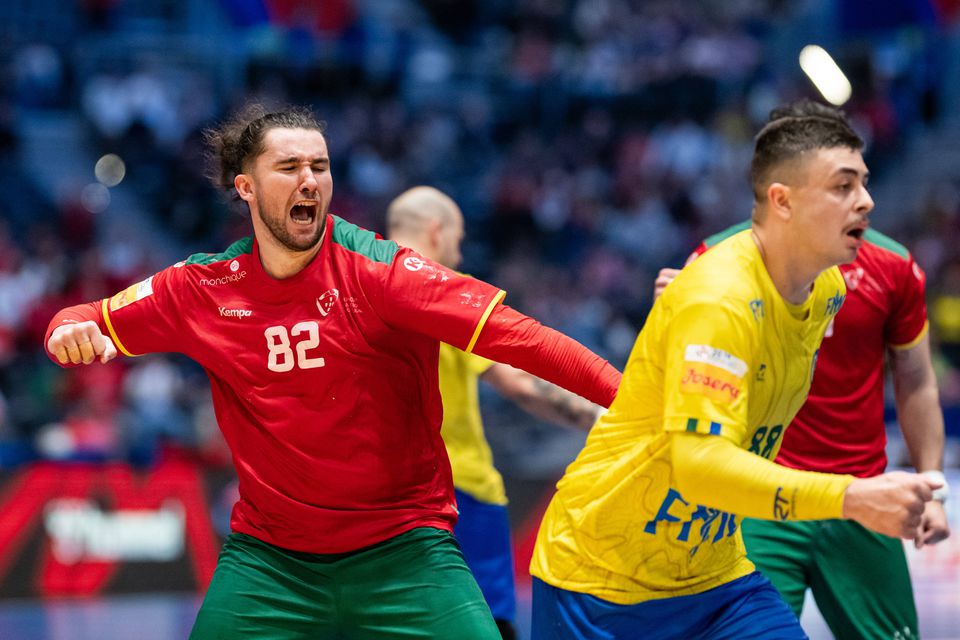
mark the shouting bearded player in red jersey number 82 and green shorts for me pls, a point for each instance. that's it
(321, 342)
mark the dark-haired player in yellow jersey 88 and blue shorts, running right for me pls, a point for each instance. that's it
(643, 538)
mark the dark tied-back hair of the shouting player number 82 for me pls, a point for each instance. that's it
(238, 141)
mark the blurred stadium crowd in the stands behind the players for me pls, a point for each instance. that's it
(588, 142)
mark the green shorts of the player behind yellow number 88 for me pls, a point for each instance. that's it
(859, 578)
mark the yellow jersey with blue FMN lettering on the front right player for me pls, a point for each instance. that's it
(721, 354)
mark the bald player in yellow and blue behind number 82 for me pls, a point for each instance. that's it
(430, 222)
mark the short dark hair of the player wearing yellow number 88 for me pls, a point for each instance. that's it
(791, 131)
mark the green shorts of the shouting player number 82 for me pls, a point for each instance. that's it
(415, 585)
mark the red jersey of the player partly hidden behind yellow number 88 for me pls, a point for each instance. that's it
(840, 428)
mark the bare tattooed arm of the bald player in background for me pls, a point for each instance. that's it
(543, 399)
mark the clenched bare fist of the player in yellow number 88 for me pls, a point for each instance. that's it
(891, 504)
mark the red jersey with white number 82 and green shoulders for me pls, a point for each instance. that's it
(324, 384)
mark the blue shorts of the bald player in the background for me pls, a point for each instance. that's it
(483, 532)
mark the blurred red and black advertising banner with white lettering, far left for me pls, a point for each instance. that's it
(89, 529)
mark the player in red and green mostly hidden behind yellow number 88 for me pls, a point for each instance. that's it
(859, 578)
